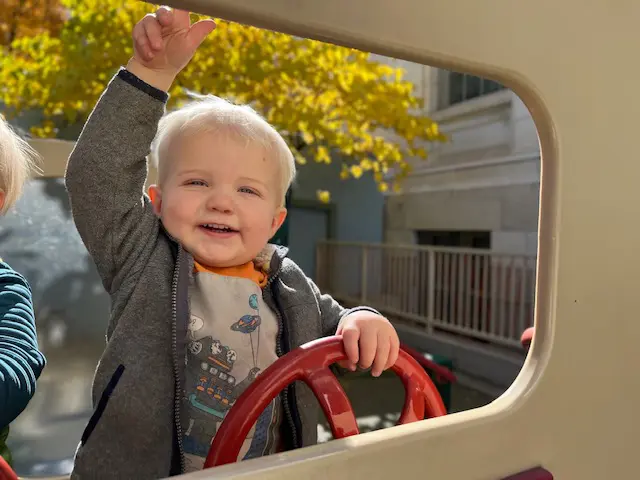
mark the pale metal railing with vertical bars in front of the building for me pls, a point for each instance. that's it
(475, 293)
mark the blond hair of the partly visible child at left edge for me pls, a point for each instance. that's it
(17, 161)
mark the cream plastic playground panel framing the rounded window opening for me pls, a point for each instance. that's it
(569, 411)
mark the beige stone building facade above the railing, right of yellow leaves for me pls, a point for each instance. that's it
(481, 189)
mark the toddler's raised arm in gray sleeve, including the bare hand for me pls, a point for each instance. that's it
(107, 170)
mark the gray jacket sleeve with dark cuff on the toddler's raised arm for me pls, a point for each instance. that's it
(106, 174)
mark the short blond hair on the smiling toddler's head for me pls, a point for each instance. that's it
(212, 114)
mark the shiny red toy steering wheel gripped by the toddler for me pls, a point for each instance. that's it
(310, 363)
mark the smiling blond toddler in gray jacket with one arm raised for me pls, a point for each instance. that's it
(201, 302)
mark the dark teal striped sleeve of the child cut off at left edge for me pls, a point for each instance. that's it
(20, 360)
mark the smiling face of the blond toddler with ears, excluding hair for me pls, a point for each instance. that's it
(220, 198)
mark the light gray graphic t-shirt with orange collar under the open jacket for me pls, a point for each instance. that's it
(232, 338)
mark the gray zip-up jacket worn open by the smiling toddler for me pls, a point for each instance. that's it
(135, 430)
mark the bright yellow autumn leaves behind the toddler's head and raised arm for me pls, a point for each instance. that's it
(330, 103)
